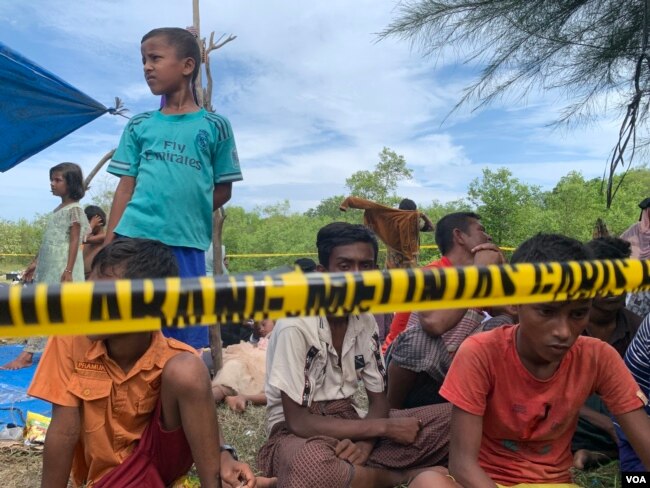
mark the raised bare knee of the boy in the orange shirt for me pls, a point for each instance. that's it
(185, 373)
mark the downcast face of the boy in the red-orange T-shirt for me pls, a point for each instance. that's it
(548, 330)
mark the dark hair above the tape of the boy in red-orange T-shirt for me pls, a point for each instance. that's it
(550, 247)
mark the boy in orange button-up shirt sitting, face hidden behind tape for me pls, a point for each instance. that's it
(130, 409)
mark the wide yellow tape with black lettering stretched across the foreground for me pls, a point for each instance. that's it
(139, 305)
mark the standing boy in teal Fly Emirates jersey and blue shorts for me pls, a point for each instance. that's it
(175, 164)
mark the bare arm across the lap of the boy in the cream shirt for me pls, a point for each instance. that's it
(304, 424)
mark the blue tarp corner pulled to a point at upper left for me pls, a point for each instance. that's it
(37, 108)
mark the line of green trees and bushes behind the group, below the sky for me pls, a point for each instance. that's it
(511, 211)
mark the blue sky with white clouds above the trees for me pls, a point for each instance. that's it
(311, 94)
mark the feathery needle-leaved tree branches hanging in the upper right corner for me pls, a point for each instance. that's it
(590, 49)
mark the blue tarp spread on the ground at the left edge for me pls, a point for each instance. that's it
(14, 402)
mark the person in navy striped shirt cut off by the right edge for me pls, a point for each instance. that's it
(637, 360)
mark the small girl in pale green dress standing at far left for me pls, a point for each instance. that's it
(58, 259)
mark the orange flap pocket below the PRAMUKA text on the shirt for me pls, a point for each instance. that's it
(94, 393)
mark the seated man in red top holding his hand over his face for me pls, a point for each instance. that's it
(461, 239)
